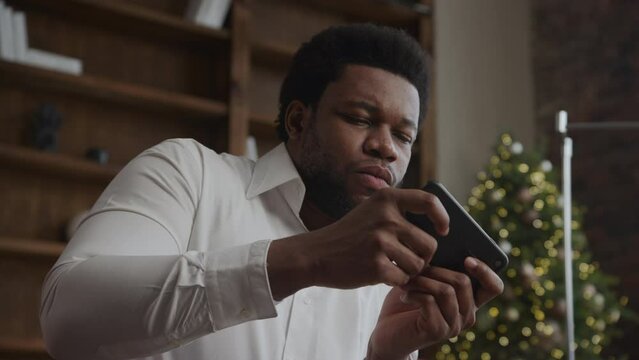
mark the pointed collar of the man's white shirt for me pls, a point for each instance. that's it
(276, 169)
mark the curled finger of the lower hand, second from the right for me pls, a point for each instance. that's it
(463, 288)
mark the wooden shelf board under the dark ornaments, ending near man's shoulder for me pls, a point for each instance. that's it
(64, 165)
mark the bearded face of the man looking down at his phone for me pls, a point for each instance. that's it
(358, 139)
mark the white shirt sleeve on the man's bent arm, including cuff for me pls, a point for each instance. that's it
(126, 286)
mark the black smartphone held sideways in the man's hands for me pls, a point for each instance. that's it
(465, 237)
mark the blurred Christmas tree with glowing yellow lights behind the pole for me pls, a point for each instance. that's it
(518, 203)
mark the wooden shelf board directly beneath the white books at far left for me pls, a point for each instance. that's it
(128, 94)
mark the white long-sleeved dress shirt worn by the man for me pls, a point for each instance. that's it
(171, 264)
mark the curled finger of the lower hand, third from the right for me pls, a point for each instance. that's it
(443, 293)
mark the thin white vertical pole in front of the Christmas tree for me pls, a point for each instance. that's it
(562, 127)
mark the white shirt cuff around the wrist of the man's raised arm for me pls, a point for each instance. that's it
(237, 285)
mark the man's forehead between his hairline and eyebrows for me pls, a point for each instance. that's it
(388, 91)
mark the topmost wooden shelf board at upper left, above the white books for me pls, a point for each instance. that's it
(131, 19)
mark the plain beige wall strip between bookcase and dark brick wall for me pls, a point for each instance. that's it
(483, 84)
